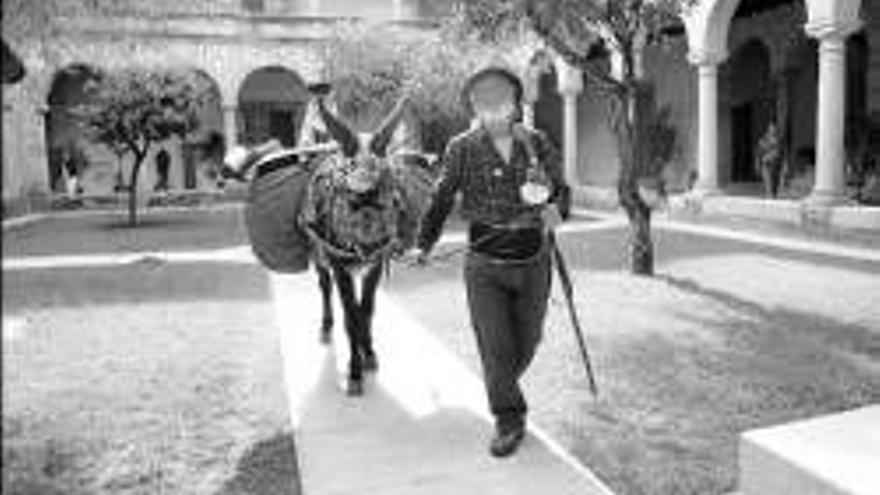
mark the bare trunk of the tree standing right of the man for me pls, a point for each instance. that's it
(641, 246)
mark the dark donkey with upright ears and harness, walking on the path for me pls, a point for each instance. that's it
(357, 214)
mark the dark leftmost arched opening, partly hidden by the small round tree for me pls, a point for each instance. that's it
(63, 129)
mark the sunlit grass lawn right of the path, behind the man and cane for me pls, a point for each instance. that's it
(718, 343)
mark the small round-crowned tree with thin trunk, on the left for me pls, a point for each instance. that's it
(131, 110)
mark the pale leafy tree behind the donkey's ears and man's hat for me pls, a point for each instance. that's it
(370, 67)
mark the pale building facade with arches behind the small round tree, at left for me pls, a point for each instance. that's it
(257, 55)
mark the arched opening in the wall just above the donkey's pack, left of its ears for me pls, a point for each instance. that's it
(271, 103)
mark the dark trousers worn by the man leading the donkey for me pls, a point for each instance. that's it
(507, 303)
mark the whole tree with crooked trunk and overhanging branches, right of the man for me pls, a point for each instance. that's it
(577, 30)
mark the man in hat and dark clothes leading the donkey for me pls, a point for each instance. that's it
(511, 184)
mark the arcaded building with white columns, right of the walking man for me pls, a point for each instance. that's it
(811, 67)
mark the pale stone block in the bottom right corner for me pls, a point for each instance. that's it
(831, 455)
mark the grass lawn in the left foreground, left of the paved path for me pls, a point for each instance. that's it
(143, 379)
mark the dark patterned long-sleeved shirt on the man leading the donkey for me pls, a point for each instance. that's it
(490, 186)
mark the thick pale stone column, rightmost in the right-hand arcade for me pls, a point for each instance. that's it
(830, 183)
